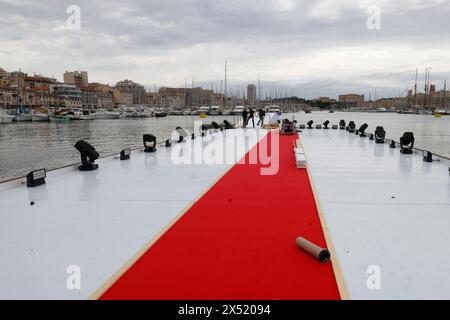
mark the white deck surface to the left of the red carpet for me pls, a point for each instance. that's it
(96, 220)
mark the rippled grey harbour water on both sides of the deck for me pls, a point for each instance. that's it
(28, 146)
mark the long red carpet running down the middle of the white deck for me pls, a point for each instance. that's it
(238, 242)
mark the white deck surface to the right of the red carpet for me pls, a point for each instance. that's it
(405, 236)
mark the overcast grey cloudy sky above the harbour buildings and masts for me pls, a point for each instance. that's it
(317, 48)
